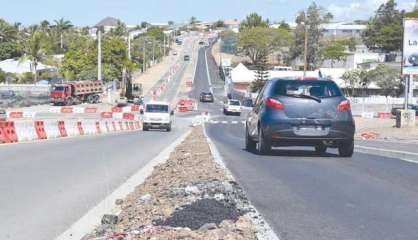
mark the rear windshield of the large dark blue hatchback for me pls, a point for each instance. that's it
(314, 88)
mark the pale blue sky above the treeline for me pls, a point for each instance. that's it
(89, 12)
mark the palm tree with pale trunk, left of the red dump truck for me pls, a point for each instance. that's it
(35, 50)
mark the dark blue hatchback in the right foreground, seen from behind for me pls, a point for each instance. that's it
(301, 113)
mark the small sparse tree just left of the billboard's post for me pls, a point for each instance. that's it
(387, 78)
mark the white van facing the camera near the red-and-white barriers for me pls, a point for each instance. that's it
(157, 115)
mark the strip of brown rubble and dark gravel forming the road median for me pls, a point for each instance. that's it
(188, 197)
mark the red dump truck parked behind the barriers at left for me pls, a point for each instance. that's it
(77, 92)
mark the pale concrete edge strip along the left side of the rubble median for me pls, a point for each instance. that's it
(91, 219)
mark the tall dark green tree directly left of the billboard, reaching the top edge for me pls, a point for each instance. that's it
(384, 30)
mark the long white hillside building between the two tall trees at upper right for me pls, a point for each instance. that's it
(342, 30)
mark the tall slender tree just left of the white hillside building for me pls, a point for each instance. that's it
(310, 23)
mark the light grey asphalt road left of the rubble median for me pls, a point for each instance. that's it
(47, 186)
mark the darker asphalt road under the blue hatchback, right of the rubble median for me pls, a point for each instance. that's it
(305, 196)
